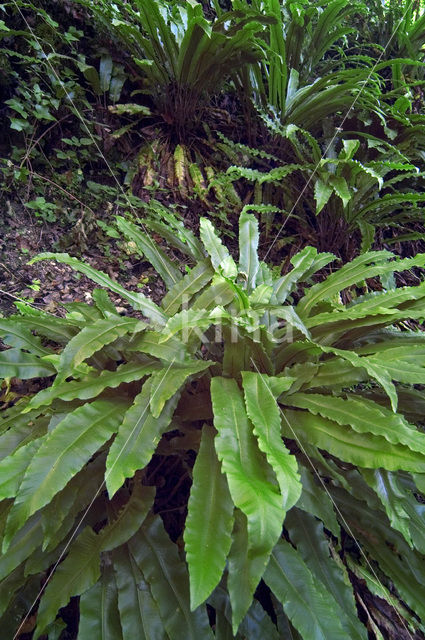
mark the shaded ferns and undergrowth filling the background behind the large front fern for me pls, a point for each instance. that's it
(313, 62)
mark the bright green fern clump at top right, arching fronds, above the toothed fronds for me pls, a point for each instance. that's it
(300, 78)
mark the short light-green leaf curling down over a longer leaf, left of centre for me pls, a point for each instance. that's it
(166, 383)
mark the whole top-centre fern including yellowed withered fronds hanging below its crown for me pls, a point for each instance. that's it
(178, 60)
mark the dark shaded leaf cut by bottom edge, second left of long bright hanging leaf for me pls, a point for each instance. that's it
(137, 607)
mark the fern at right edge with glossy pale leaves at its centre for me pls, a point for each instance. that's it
(325, 199)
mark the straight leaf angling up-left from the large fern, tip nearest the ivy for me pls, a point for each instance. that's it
(168, 271)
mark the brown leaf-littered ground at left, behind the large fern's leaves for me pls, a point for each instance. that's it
(48, 284)
